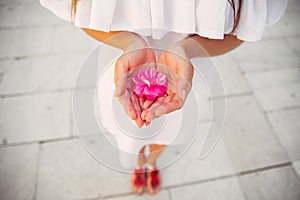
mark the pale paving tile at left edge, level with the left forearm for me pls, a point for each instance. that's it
(25, 42)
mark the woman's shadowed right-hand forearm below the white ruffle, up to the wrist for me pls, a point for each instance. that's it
(197, 46)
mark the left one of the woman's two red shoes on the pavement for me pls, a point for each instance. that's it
(138, 179)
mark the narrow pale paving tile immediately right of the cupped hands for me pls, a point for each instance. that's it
(234, 80)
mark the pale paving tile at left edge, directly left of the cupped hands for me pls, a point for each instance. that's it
(40, 73)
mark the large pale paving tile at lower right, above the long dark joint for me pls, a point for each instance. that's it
(248, 137)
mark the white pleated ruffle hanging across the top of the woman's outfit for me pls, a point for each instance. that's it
(207, 18)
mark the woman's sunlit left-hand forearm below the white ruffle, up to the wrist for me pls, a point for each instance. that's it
(119, 39)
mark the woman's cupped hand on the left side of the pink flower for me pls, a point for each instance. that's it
(136, 54)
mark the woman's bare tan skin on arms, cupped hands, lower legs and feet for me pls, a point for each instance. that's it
(144, 111)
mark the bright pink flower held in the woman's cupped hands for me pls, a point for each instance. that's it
(150, 83)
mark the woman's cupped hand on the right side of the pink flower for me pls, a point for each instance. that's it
(175, 64)
